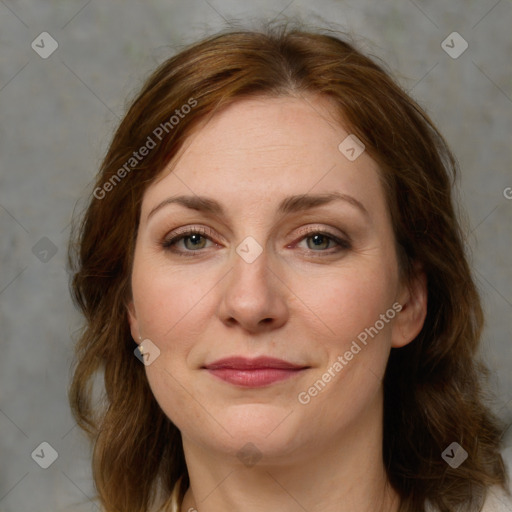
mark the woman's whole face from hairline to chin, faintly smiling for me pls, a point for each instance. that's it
(293, 259)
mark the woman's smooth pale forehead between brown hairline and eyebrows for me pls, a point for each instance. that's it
(262, 149)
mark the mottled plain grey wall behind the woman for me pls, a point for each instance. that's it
(58, 114)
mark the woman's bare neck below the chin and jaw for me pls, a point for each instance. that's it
(345, 474)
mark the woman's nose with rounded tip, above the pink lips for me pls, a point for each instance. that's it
(254, 296)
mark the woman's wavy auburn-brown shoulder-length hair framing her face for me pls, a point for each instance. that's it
(433, 391)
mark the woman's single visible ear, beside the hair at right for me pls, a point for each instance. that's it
(410, 319)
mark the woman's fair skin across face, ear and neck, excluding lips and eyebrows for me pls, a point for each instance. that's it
(297, 301)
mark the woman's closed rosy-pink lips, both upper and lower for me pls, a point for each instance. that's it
(258, 372)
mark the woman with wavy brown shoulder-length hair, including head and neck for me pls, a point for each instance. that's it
(272, 231)
